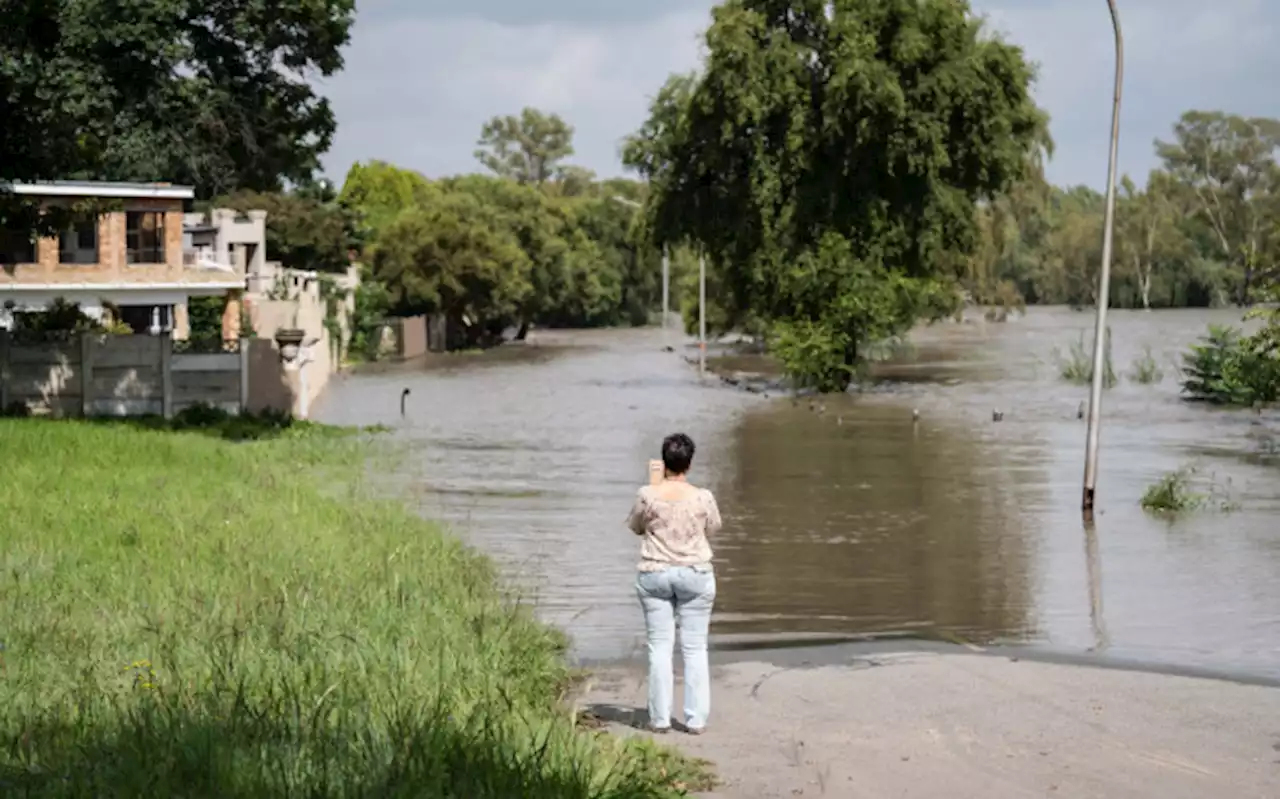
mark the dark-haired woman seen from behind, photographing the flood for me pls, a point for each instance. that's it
(676, 583)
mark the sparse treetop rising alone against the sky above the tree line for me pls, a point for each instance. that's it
(527, 149)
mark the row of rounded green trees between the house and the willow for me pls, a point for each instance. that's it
(578, 259)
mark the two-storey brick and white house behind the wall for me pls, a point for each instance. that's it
(144, 259)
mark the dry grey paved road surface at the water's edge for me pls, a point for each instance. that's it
(958, 727)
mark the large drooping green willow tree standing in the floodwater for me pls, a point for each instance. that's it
(830, 158)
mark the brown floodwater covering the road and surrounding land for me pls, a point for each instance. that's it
(847, 519)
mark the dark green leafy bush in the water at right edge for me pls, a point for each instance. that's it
(1228, 368)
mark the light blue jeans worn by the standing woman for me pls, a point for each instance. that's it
(684, 593)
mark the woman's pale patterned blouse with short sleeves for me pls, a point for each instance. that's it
(675, 532)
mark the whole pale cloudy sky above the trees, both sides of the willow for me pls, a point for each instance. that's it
(423, 76)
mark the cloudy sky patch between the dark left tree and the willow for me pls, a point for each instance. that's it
(417, 93)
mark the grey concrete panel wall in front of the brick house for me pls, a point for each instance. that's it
(138, 376)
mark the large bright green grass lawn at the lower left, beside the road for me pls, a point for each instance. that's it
(186, 617)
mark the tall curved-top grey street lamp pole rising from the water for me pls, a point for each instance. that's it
(1100, 331)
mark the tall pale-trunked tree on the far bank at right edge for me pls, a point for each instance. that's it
(1229, 163)
